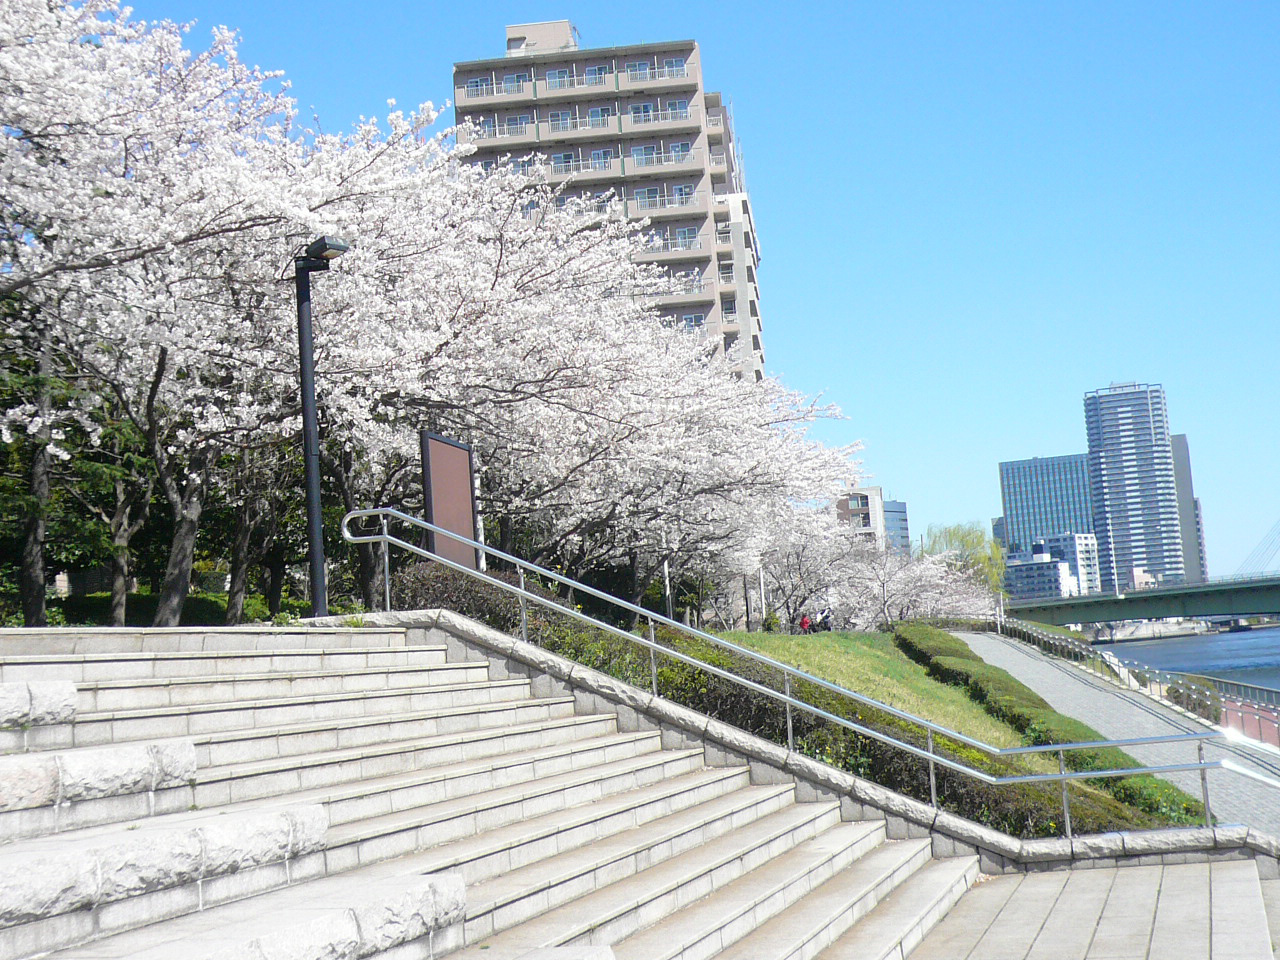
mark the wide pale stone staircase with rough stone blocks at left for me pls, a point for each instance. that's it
(336, 793)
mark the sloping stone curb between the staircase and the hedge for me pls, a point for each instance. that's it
(953, 835)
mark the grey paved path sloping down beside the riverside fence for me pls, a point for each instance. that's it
(1117, 715)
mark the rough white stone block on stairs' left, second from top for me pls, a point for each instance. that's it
(57, 778)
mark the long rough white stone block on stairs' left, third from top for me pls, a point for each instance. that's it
(39, 885)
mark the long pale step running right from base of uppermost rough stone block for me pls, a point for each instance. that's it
(253, 716)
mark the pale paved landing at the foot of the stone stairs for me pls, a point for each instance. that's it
(1185, 912)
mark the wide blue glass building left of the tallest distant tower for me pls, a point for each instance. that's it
(1044, 497)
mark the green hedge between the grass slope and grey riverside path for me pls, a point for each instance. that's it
(1008, 700)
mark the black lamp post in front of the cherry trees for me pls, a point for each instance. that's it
(317, 258)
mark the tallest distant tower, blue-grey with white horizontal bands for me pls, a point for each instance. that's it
(1132, 486)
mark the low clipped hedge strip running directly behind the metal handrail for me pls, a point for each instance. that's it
(1020, 810)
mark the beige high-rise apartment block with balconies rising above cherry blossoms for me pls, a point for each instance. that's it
(634, 124)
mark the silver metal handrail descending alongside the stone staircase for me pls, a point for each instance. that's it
(789, 674)
